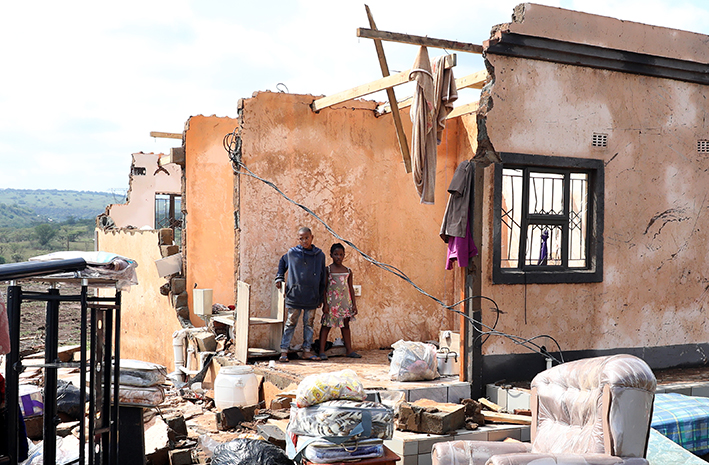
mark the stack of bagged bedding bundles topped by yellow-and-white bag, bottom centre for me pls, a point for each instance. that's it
(332, 421)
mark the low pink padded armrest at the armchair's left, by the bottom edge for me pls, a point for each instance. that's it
(473, 452)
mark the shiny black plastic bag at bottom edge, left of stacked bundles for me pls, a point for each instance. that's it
(248, 452)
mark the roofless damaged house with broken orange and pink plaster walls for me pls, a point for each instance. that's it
(588, 208)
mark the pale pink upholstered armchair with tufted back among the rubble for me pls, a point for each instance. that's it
(594, 411)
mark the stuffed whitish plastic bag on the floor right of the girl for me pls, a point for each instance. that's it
(413, 361)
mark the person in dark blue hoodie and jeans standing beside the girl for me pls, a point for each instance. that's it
(307, 279)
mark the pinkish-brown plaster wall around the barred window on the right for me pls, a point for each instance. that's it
(655, 281)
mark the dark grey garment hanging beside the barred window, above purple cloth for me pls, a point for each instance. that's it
(455, 218)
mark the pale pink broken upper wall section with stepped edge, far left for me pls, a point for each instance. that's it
(139, 210)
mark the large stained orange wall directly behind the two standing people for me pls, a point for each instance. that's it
(345, 164)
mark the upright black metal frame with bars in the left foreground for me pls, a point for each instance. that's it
(104, 348)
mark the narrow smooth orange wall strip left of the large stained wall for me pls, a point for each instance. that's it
(209, 206)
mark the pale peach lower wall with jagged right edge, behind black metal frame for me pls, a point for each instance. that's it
(147, 318)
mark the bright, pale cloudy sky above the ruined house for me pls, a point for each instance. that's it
(83, 83)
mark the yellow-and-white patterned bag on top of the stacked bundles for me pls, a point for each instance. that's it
(315, 389)
